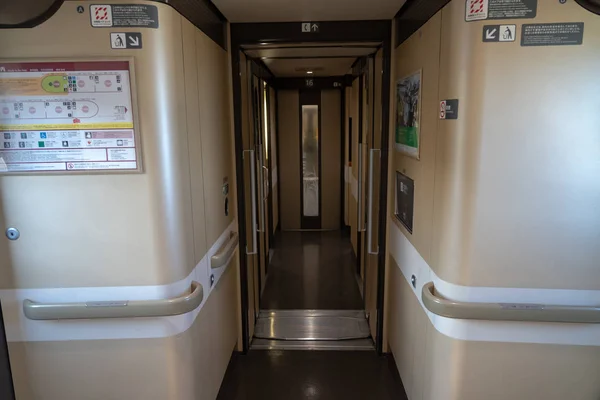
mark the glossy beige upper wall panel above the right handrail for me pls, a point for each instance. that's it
(507, 175)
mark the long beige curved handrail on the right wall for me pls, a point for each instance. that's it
(507, 311)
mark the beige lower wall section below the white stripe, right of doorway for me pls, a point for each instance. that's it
(434, 366)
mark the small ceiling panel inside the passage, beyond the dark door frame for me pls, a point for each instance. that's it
(288, 68)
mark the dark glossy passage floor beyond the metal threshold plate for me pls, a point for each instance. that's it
(312, 271)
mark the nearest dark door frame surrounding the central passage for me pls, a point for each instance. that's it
(330, 32)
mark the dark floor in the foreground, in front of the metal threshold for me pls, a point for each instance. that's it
(291, 375)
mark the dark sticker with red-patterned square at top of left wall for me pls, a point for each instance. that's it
(123, 15)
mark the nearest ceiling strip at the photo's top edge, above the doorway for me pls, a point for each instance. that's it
(307, 10)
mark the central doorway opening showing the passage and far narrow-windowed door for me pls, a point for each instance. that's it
(310, 127)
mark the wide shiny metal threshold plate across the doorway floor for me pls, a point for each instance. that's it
(312, 325)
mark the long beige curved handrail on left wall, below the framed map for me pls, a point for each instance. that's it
(115, 309)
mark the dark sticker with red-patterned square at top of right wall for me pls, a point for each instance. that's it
(477, 10)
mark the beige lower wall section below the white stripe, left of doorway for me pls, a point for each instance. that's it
(190, 365)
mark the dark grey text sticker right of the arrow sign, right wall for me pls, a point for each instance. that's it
(557, 34)
